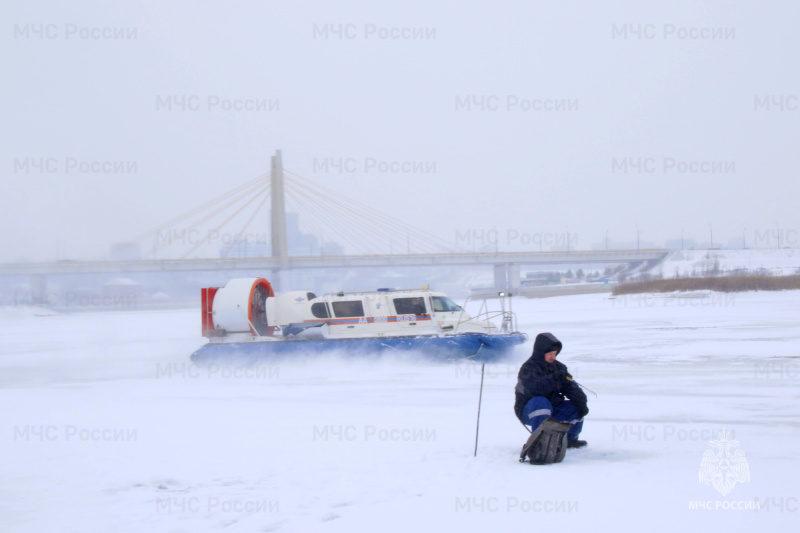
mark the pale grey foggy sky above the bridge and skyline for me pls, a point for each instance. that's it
(711, 84)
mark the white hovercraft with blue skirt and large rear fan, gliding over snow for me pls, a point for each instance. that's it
(246, 323)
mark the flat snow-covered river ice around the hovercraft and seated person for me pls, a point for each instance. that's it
(106, 427)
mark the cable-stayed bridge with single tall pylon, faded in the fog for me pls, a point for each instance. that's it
(228, 233)
